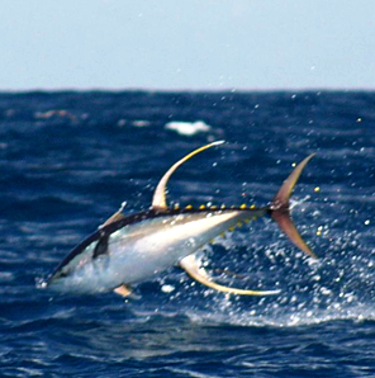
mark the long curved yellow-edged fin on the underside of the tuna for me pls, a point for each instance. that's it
(191, 266)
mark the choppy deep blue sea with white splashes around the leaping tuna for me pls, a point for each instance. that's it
(69, 159)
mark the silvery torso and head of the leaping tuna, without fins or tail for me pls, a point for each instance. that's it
(138, 247)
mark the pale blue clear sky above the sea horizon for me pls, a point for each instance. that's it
(187, 44)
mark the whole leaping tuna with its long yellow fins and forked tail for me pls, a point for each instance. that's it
(129, 249)
